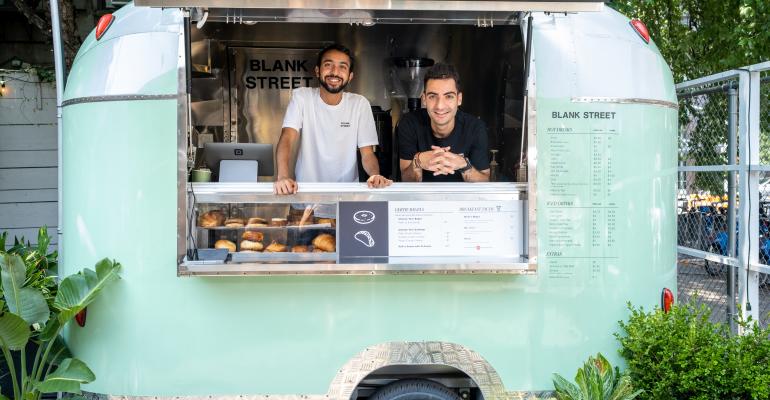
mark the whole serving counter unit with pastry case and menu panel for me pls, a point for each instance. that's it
(347, 228)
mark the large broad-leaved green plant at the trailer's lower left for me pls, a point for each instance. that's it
(26, 316)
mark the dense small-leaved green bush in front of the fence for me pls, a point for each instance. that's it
(682, 355)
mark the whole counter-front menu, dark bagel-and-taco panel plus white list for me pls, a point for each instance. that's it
(430, 229)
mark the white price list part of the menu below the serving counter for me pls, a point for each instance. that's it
(464, 228)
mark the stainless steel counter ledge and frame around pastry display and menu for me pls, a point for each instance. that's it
(330, 264)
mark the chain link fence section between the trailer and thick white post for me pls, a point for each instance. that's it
(707, 140)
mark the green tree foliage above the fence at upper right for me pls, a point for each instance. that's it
(703, 37)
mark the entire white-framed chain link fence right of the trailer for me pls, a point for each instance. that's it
(717, 169)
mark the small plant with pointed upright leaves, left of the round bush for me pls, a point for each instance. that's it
(596, 380)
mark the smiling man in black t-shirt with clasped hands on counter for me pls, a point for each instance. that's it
(441, 143)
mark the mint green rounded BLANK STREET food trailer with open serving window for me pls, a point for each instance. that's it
(466, 290)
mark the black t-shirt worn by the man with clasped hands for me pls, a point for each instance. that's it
(469, 137)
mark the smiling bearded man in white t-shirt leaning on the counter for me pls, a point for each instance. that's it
(330, 125)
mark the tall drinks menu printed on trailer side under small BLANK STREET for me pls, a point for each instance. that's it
(579, 191)
